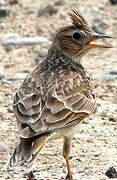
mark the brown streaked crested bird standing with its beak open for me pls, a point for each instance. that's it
(56, 96)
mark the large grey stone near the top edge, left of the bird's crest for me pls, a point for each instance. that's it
(46, 9)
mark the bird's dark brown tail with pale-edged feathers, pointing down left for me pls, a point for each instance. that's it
(26, 152)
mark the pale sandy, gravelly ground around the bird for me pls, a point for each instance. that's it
(94, 147)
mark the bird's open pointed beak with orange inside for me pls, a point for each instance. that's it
(96, 37)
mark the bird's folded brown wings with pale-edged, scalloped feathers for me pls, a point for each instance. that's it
(69, 99)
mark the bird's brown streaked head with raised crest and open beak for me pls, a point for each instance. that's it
(75, 40)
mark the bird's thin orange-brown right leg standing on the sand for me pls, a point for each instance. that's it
(66, 151)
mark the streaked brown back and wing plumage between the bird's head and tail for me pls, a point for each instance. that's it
(56, 81)
